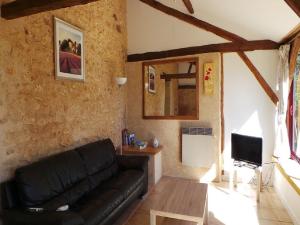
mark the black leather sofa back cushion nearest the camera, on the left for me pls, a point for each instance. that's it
(41, 181)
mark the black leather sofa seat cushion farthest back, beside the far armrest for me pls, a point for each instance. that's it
(125, 182)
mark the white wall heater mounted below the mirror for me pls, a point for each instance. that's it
(197, 147)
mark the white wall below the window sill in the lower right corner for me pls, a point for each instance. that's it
(289, 197)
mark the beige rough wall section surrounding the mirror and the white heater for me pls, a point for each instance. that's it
(168, 131)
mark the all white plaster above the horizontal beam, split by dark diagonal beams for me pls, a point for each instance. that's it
(151, 30)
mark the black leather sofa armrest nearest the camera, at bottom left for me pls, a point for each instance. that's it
(22, 217)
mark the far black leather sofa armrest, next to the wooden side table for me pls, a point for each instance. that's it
(133, 162)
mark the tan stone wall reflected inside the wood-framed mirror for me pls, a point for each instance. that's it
(155, 102)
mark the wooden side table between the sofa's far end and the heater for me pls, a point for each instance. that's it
(154, 166)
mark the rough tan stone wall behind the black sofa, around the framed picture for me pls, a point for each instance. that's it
(39, 115)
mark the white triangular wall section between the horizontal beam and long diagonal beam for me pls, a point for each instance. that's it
(151, 30)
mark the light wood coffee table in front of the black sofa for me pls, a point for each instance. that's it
(183, 200)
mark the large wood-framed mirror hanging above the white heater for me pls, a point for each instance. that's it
(171, 89)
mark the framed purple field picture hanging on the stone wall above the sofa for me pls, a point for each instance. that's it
(69, 51)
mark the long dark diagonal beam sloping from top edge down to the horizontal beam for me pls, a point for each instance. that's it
(194, 21)
